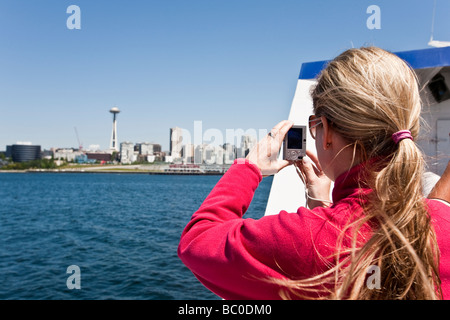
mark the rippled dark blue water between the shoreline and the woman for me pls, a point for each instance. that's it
(122, 230)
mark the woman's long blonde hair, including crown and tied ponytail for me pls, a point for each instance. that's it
(368, 94)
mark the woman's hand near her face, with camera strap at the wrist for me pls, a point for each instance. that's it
(317, 183)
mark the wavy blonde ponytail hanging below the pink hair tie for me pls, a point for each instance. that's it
(405, 242)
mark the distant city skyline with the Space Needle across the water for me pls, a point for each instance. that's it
(181, 152)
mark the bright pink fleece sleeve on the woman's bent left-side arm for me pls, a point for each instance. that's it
(236, 258)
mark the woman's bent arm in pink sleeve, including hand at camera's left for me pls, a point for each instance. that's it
(232, 256)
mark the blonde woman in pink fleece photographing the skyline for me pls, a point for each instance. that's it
(377, 238)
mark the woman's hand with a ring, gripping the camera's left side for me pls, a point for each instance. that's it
(265, 154)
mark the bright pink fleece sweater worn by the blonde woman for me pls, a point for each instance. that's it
(232, 256)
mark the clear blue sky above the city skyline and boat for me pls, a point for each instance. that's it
(228, 63)
